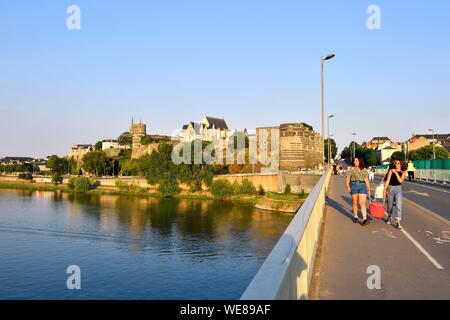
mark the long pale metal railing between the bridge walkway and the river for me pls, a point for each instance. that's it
(286, 273)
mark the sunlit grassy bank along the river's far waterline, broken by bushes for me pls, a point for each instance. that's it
(270, 201)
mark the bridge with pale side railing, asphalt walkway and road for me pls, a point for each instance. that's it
(324, 255)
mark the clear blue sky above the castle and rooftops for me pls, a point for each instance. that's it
(253, 62)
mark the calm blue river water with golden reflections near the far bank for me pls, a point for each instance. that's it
(130, 247)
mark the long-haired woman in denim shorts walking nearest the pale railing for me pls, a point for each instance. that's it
(359, 187)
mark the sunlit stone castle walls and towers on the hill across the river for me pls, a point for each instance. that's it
(298, 146)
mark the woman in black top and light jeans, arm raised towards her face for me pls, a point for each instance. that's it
(394, 181)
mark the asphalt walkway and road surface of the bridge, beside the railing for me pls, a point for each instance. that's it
(414, 263)
